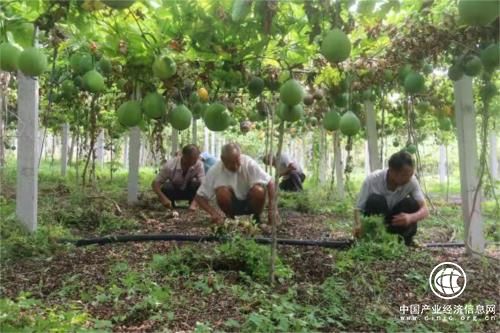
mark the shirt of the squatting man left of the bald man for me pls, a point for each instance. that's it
(172, 171)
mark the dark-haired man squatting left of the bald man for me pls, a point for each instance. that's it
(180, 178)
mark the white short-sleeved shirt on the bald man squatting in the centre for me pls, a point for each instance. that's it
(249, 174)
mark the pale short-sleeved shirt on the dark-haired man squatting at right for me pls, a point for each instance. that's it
(376, 183)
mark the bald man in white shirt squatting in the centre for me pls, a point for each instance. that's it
(239, 185)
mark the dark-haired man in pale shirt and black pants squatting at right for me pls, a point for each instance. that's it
(395, 193)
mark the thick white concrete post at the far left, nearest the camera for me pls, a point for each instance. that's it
(27, 151)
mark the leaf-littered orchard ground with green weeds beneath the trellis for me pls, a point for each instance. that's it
(208, 287)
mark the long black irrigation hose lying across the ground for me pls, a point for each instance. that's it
(337, 244)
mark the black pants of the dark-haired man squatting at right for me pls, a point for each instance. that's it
(377, 205)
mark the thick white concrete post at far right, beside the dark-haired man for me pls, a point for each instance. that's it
(467, 152)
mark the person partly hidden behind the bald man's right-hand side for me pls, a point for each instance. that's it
(292, 176)
